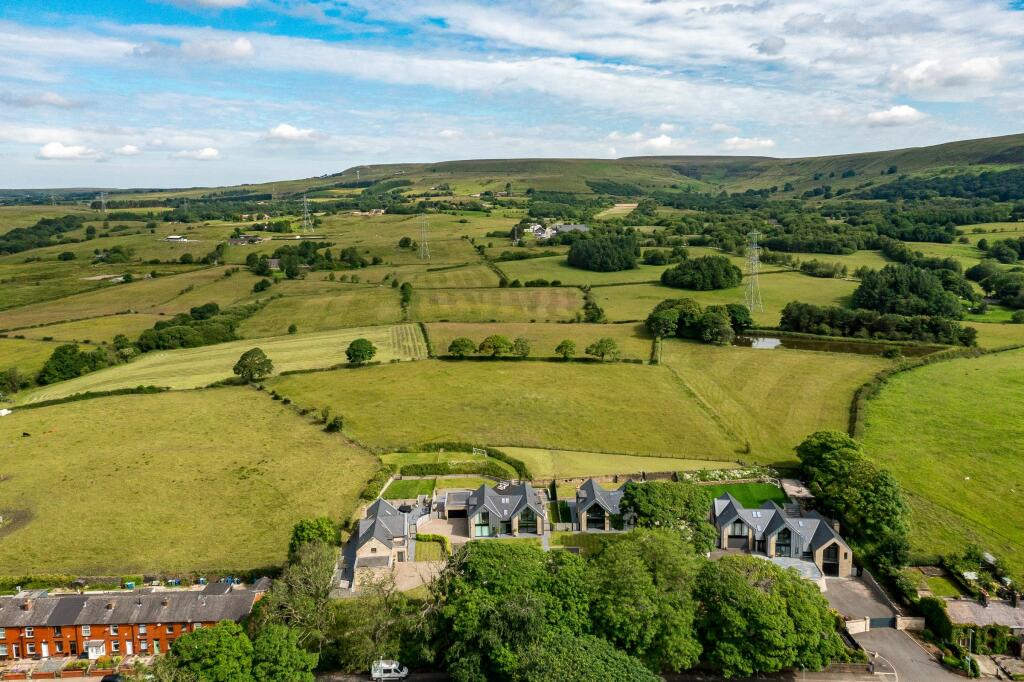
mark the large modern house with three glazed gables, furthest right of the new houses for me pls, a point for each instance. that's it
(774, 533)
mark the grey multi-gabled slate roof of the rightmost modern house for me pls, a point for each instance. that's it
(810, 531)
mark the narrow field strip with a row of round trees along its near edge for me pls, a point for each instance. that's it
(633, 340)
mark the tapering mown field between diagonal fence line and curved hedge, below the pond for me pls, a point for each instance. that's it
(772, 399)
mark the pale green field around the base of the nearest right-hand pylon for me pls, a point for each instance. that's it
(778, 289)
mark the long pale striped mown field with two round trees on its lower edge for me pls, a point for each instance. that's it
(194, 368)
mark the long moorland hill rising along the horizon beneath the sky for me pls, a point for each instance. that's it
(703, 174)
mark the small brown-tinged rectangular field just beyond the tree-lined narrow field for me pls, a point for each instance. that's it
(497, 305)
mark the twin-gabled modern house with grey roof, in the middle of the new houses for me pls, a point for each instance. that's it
(507, 509)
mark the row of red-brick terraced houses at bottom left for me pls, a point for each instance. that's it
(37, 625)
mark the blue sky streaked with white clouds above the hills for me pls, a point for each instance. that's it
(199, 93)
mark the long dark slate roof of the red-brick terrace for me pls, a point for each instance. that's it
(126, 608)
